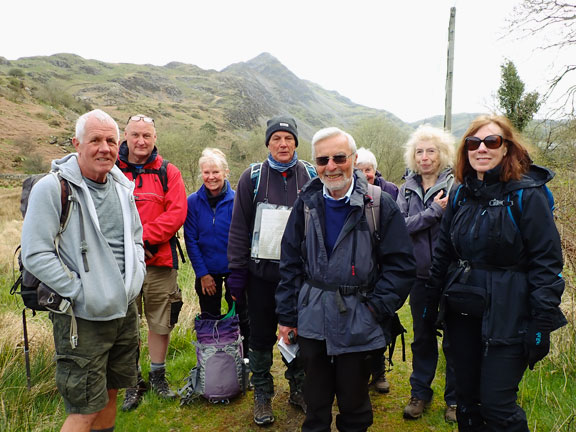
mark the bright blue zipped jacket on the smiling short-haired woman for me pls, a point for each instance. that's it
(206, 232)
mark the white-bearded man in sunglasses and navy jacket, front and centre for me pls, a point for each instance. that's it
(340, 283)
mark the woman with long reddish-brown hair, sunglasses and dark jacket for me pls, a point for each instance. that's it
(496, 274)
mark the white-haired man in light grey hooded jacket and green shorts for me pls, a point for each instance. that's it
(97, 263)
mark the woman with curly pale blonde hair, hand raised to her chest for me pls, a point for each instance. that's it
(423, 200)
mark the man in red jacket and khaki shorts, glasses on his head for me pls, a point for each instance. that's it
(161, 201)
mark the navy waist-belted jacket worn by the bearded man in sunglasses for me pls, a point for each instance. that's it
(307, 296)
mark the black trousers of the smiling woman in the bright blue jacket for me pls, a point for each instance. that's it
(213, 305)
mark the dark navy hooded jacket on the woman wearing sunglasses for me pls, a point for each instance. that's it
(517, 264)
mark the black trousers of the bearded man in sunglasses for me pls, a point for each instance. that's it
(344, 377)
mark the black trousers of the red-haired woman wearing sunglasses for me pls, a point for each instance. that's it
(487, 379)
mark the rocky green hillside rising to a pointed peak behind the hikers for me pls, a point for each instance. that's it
(40, 98)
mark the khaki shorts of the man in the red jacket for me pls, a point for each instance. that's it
(162, 299)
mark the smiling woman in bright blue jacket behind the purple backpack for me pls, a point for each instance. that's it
(206, 236)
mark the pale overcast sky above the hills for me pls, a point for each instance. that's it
(383, 54)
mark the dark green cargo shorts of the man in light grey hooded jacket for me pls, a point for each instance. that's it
(106, 358)
